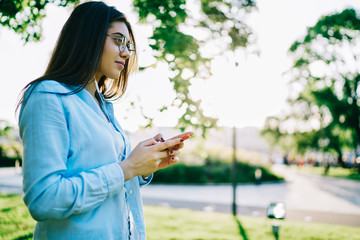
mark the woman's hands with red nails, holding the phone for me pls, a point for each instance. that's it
(149, 156)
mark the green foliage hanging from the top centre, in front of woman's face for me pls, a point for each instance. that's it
(182, 51)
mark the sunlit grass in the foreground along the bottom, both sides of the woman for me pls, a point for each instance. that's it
(167, 223)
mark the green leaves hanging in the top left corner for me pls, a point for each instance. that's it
(24, 16)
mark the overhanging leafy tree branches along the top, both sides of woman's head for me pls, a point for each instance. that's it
(173, 40)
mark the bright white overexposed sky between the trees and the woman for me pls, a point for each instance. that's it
(239, 96)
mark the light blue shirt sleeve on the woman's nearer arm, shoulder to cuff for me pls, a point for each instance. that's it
(48, 192)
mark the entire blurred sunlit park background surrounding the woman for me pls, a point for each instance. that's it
(270, 88)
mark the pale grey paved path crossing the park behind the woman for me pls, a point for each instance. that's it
(307, 197)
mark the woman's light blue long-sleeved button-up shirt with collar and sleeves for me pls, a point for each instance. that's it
(73, 185)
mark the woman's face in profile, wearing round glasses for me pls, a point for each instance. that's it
(112, 60)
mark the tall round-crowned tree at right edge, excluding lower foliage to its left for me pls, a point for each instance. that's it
(326, 65)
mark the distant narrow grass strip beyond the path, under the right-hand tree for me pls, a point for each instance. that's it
(338, 172)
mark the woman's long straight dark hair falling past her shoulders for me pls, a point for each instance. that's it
(77, 54)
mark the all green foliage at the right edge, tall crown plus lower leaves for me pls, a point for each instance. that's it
(325, 114)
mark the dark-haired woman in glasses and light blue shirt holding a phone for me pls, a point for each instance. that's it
(81, 179)
